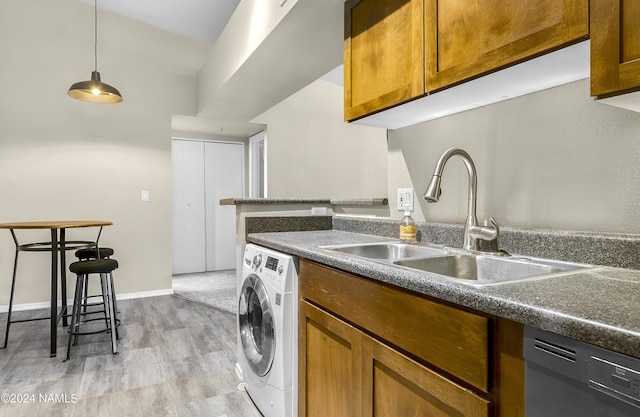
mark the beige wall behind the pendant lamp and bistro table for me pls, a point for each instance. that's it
(66, 159)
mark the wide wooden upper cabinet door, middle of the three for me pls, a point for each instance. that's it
(469, 38)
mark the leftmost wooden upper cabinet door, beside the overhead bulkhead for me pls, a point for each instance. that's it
(383, 54)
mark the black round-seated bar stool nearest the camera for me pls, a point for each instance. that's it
(83, 270)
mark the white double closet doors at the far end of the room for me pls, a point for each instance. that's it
(204, 172)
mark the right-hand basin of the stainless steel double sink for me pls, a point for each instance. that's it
(482, 270)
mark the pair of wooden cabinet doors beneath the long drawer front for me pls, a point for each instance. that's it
(348, 373)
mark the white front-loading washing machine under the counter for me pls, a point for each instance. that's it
(268, 330)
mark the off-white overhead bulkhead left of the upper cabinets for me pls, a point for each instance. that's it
(268, 52)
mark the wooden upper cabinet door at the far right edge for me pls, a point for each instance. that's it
(615, 47)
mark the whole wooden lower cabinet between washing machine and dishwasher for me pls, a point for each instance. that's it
(347, 370)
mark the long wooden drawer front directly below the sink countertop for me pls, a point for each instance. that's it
(450, 339)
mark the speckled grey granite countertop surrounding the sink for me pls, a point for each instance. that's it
(600, 306)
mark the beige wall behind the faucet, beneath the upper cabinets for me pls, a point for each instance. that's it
(553, 159)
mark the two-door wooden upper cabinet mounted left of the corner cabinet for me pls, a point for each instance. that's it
(399, 50)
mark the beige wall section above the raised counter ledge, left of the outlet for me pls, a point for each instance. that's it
(312, 153)
